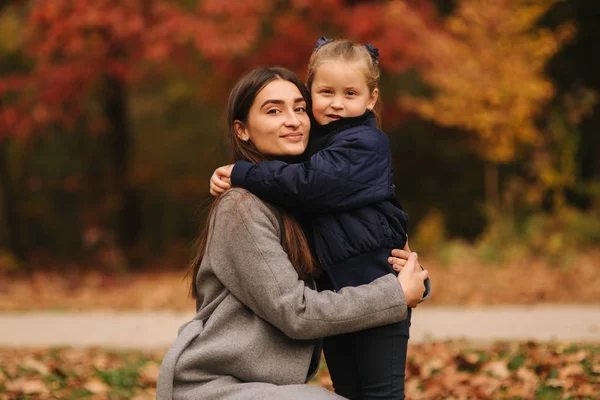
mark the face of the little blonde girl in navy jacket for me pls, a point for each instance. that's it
(339, 90)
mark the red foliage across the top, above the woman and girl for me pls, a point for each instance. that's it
(76, 43)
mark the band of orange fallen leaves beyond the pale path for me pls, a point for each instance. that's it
(162, 288)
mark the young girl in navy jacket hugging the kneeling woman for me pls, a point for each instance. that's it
(344, 195)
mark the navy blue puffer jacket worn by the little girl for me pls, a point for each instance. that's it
(347, 191)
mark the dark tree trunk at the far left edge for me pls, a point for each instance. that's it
(9, 226)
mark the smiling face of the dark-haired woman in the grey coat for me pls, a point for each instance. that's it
(278, 124)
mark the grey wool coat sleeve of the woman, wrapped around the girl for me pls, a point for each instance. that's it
(247, 257)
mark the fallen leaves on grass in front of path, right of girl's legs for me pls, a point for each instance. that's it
(502, 371)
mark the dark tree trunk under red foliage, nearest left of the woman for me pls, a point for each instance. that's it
(128, 211)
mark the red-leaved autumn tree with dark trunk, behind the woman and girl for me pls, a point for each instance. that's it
(83, 57)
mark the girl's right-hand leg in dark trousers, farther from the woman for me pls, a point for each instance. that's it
(381, 361)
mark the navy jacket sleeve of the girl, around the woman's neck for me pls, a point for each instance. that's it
(354, 171)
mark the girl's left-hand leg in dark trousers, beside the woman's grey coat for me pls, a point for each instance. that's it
(339, 355)
